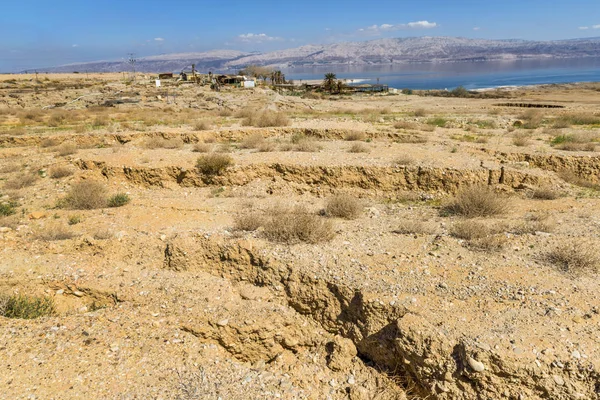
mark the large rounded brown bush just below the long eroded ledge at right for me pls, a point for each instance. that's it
(477, 201)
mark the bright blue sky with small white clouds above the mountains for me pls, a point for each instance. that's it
(38, 33)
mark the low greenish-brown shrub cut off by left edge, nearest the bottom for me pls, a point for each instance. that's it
(26, 307)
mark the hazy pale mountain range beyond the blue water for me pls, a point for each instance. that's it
(380, 51)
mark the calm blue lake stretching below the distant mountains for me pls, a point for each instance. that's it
(472, 75)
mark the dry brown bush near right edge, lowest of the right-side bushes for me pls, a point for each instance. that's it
(575, 257)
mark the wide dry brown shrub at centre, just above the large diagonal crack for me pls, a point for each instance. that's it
(295, 225)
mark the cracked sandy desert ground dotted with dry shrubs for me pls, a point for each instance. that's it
(181, 243)
